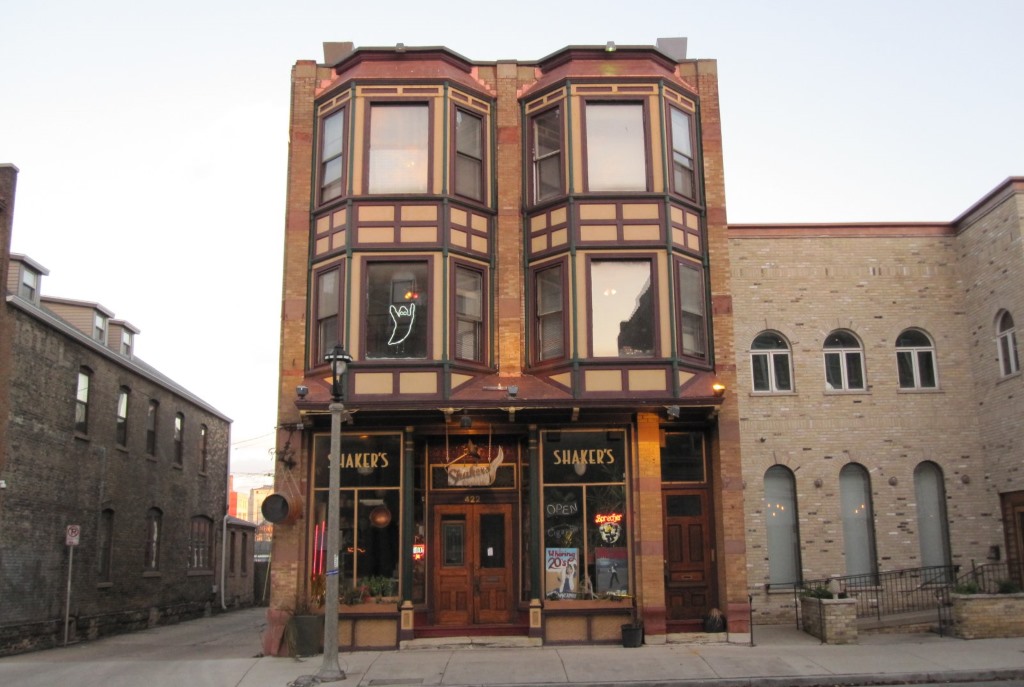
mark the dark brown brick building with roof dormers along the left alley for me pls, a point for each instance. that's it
(98, 439)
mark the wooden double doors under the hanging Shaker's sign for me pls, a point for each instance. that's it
(474, 574)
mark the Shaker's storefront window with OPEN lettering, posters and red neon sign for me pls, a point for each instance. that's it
(585, 524)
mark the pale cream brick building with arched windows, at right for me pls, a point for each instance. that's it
(880, 396)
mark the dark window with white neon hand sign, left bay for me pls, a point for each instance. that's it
(397, 311)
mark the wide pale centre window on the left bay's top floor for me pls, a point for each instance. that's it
(399, 151)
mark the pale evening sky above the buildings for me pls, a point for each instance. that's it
(152, 139)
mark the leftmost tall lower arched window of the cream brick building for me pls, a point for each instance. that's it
(782, 527)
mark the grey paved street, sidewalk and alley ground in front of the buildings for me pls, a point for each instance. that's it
(224, 652)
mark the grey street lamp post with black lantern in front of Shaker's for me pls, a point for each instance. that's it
(330, 670)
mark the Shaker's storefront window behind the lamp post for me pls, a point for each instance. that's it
(371, 505)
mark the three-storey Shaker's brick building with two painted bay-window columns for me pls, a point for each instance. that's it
(525, 260)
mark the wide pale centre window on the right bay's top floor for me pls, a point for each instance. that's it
(617, 158)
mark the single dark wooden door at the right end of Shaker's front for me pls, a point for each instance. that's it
(690, 577)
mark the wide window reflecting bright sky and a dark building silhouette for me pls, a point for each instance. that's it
(622, 309)
